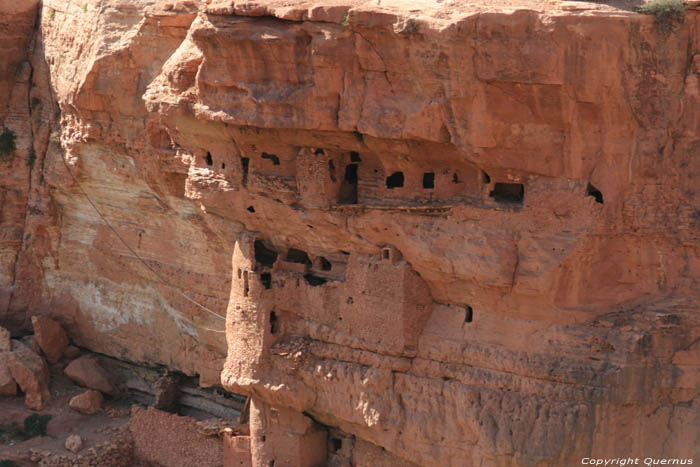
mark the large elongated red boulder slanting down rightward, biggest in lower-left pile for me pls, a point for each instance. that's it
(31, 373)
